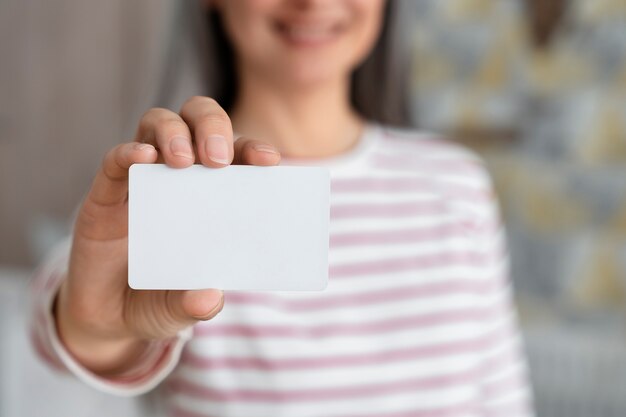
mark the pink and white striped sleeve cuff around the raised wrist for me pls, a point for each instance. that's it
(155, 364)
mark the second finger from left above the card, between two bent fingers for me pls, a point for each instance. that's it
(170, 134)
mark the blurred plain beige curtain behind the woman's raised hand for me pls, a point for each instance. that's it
(74, 78)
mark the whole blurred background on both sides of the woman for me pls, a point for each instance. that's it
(537, 87)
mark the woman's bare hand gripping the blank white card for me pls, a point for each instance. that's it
(102, 321)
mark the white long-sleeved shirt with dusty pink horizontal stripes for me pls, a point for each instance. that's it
(417, 319)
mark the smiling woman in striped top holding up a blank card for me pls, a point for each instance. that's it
(416, 319)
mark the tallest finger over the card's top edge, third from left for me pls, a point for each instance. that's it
(212, 130)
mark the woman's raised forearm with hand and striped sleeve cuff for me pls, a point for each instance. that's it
(87, 319)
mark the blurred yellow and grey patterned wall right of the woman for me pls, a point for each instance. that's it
(550, 120)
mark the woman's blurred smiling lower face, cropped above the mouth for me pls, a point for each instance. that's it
(301, 42)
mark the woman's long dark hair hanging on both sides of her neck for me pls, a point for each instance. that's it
(200, 49)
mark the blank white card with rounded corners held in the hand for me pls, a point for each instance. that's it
(232, 228)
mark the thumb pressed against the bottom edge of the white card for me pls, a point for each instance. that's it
(162, 314)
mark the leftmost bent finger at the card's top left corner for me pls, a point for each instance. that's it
(110, 187)
